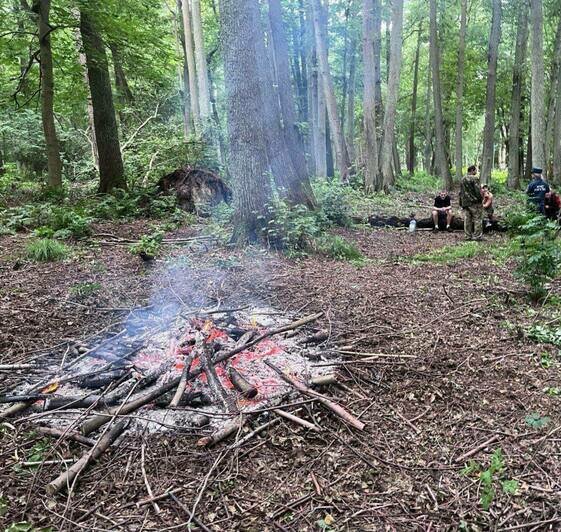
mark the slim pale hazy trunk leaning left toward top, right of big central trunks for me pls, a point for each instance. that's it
(326, 80)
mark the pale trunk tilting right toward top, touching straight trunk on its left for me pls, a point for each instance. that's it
(387, 168)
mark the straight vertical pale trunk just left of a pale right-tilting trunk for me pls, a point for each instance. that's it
(371, 181)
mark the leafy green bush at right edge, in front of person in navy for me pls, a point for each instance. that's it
(537, 253)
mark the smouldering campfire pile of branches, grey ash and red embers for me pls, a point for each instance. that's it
(207, 374)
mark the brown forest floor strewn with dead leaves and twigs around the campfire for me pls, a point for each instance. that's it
(475, 377)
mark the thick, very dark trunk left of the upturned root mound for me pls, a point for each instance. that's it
(111, 171)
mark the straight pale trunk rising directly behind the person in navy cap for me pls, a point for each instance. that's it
(538, 81)
